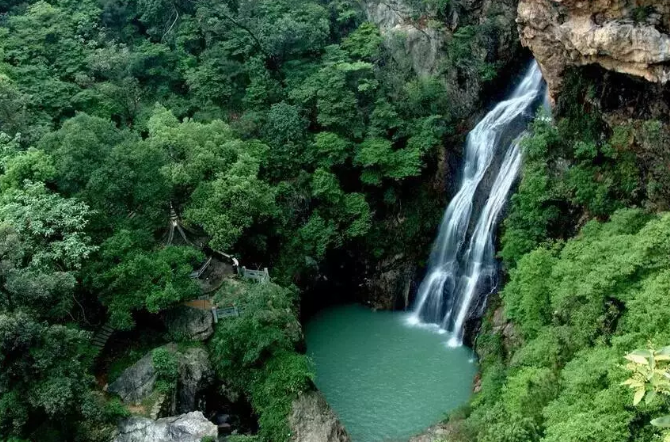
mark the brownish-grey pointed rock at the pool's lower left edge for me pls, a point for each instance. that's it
(312, 420)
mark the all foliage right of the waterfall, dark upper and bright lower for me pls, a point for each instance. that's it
(587, 284)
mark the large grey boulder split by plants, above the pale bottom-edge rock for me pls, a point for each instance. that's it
(138, 381)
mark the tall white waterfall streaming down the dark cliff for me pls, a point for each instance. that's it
(462, 265)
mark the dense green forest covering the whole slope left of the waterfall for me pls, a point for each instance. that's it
(279, 130)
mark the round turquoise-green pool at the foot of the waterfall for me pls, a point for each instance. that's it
(386, 380)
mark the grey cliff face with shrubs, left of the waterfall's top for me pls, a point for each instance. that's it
(426, 41)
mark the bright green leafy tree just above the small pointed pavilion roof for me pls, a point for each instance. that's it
(214, 174)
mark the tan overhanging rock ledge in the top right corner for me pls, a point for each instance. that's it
(626, 36)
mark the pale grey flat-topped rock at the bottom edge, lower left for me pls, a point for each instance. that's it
(191, 427)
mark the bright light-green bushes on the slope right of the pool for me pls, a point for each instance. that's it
(577, 309)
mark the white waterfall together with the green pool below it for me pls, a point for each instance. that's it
(387, 381)
